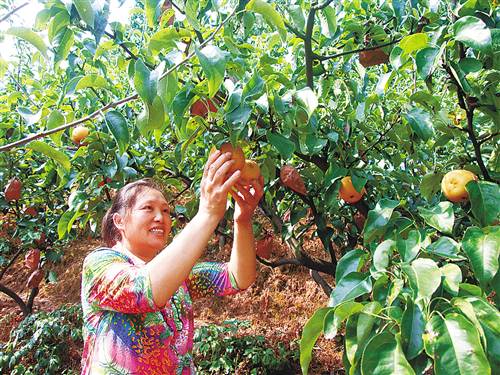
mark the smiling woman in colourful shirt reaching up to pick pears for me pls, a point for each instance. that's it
(137, 298)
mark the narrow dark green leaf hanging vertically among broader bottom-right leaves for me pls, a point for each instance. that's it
(412, 329)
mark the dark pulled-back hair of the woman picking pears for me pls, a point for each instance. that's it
(125, 198)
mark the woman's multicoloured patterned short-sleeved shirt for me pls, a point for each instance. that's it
(125, 332)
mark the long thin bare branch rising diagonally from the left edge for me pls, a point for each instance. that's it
(111, 105)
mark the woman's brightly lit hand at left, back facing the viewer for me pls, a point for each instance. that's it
(215, 186)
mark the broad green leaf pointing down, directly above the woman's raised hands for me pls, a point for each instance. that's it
(213, 62)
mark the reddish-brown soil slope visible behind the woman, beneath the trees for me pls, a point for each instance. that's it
(278, 304)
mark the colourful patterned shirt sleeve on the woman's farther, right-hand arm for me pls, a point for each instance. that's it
(211, 278)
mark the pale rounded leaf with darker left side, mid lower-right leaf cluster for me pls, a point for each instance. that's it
(424, 276)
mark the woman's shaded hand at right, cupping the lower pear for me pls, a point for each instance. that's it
(247, 198)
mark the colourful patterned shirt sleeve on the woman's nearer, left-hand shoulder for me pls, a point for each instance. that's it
(110, 282)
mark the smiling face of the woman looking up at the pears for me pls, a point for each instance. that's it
(145, 226)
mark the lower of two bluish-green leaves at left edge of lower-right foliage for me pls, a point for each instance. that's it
(352, 285)
